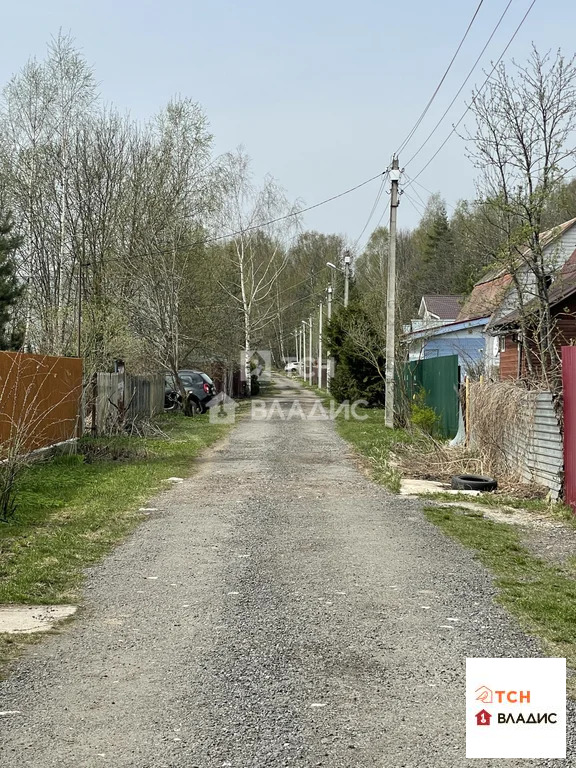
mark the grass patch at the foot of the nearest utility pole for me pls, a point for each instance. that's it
(372, 439)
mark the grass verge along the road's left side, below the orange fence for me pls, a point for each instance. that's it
(73, 509)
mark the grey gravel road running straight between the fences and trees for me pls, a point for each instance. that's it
(278, 609)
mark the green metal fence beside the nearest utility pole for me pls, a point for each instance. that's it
(438, 377)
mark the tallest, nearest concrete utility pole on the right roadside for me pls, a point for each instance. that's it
(391, 296)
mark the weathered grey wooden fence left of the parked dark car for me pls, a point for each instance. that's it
(122, 396)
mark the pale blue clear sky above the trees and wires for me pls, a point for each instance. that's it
(320, 93)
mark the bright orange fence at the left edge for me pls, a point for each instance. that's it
(39, 400)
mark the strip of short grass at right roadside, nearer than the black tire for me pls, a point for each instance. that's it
(541, 595)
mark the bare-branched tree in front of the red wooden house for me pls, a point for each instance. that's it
(522, 143)
